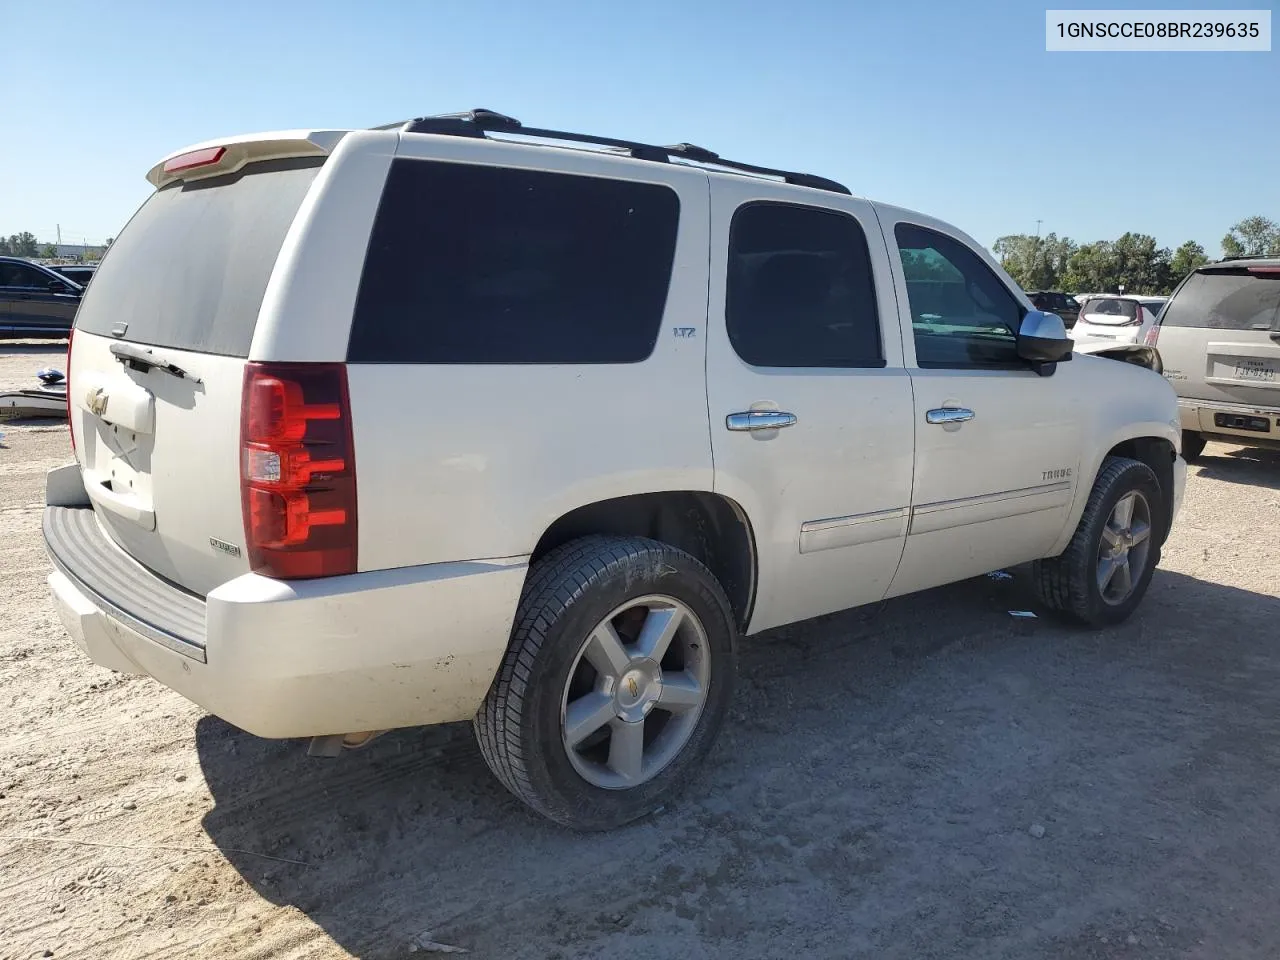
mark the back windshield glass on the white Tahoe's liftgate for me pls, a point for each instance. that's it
(191, 268)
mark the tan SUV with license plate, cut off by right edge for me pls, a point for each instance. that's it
(1220, 344)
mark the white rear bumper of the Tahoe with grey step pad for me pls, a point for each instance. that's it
(365, 652)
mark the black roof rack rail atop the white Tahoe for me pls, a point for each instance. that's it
(481, 124)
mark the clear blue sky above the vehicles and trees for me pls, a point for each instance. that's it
(950, 108)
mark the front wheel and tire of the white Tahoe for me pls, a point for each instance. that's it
(1103, 575)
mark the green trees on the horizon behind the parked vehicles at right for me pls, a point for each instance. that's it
(1132, 262)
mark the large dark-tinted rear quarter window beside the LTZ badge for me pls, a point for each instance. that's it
(496, 266)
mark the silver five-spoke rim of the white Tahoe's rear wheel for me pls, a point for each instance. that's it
(636, 693)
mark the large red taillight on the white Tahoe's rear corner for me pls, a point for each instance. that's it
(298, 470)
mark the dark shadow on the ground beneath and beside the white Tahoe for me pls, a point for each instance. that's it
(871, 797)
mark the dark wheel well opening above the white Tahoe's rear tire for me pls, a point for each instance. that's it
(707, 525)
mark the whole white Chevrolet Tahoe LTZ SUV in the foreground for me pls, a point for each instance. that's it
(464, 420)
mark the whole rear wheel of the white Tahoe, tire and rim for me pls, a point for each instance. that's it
(615, 685)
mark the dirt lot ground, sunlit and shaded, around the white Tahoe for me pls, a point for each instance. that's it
(929, 779)
